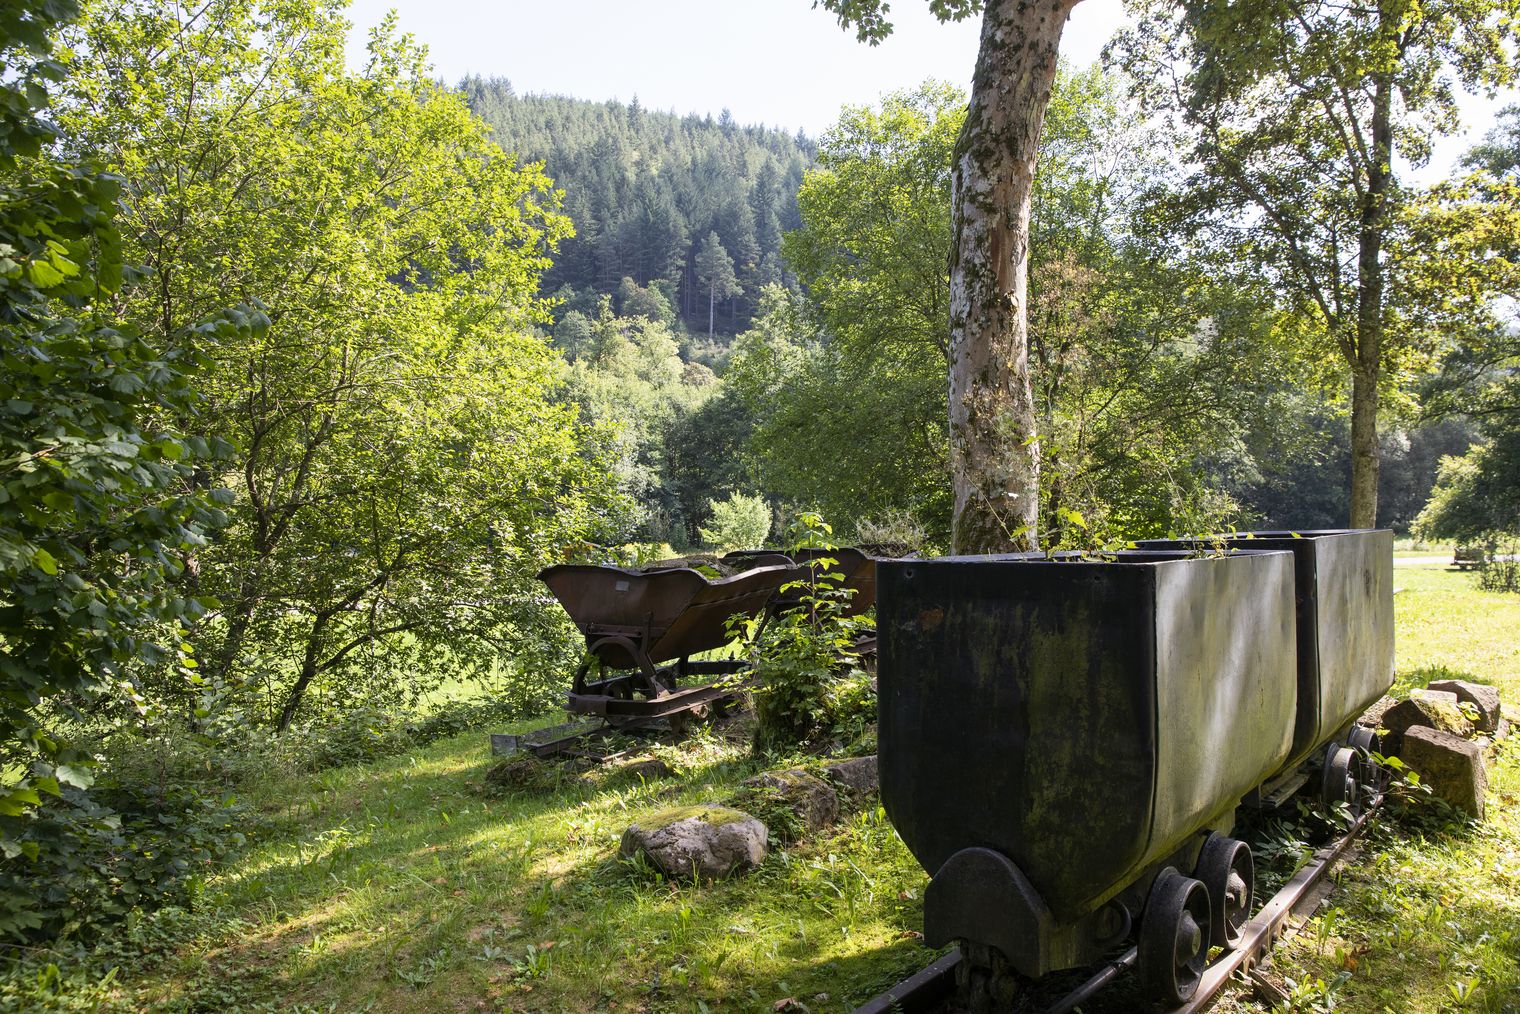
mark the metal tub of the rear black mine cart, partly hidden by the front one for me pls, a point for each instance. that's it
(1344, 597)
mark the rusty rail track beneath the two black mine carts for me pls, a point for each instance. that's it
(931, 989)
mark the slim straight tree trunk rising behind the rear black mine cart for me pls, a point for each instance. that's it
(1369, 360)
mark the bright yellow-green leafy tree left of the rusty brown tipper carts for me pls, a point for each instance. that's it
(404, 466)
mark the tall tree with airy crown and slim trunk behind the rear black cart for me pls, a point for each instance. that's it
(1300, 115)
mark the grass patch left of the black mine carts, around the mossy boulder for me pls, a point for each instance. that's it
(405, 887)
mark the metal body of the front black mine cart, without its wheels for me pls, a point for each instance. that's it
(1051, 732)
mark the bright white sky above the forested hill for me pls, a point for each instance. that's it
(770, 62)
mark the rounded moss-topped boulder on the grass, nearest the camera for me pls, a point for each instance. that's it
(705, 843)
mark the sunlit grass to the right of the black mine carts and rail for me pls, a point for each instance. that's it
(1428, 922)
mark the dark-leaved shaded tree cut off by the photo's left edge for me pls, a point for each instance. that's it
(101, 507)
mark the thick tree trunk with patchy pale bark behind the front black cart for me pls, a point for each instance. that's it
(995, 455)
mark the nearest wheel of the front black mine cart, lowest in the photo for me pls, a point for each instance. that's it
(1174, 937)
